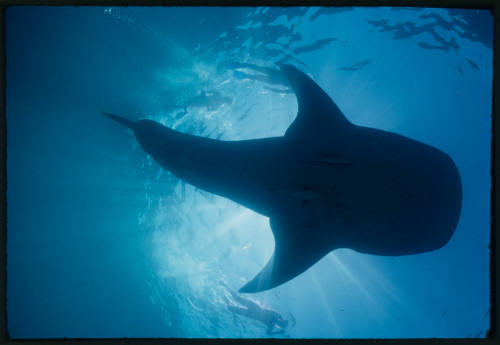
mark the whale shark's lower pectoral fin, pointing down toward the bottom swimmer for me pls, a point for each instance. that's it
(296, 249)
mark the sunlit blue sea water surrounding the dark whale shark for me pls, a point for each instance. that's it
(103, 243)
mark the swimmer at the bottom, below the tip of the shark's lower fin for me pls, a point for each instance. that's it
(275, 322)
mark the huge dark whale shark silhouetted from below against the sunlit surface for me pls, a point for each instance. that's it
(325, 184)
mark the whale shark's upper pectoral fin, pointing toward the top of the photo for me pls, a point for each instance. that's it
(317, 113)
